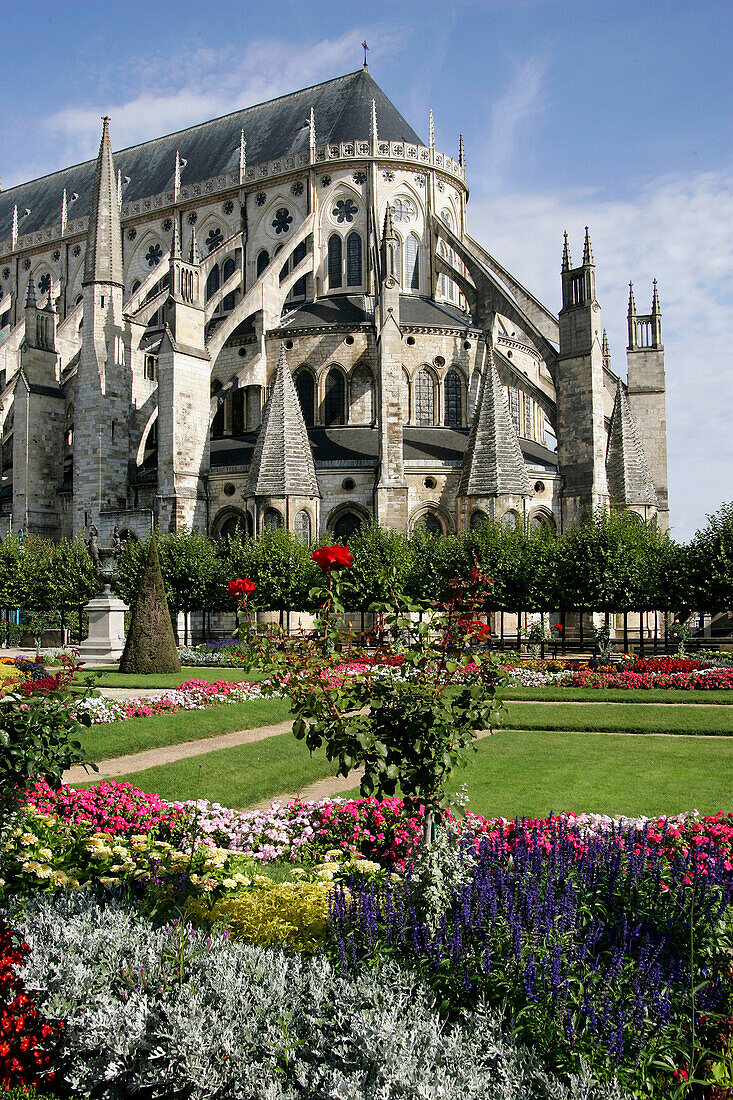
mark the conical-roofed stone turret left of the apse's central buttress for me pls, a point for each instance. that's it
(282, 488)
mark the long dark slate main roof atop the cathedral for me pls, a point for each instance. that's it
(275, 129)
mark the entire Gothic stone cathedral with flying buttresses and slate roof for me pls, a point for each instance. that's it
(315, 254)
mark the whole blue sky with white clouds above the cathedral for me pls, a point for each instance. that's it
(611, 114)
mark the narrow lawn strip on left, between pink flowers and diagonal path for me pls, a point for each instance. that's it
(112, 740)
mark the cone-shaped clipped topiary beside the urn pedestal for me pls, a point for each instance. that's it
(150, 646)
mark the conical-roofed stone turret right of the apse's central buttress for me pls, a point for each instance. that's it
(495, 480)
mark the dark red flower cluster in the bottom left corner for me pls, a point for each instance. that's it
(25, 1032)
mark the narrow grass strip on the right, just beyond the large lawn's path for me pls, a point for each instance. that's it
(642, 719)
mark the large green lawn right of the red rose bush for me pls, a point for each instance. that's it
(532, 774)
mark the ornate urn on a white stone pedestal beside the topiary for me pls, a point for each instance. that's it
(106, 641)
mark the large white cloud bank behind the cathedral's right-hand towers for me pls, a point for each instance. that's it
(679, 229)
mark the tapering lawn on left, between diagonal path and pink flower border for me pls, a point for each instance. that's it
(238, 777)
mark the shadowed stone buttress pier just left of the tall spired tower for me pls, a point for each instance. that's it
(39, 424)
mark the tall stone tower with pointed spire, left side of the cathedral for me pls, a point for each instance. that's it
(102, 443)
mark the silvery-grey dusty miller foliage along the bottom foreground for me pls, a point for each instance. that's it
(172, 1011)
